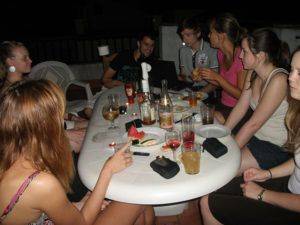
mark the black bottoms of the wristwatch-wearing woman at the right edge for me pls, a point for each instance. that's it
(230, 207)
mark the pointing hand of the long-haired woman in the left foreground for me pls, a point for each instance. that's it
(119, 161)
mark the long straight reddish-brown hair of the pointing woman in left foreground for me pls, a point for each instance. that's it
(32, 126)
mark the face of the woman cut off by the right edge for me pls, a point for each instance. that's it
(294, 78)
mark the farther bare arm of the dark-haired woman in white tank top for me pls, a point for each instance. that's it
(242, 105)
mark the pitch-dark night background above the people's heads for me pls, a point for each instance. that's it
(61, 29)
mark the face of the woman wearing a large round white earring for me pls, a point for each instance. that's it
(21, 60)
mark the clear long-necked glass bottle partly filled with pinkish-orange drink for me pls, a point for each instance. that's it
(166, 116)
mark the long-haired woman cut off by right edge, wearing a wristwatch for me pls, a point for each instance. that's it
(264, 196)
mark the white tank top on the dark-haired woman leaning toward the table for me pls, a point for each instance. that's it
(274, 129)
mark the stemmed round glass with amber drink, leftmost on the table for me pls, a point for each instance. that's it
(110, 110)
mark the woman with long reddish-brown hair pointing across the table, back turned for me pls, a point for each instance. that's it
(36, 166)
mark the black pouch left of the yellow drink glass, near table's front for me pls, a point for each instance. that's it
(165, 167)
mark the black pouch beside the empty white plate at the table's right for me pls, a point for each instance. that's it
(214, 147)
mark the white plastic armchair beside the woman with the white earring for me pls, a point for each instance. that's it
(61, 74)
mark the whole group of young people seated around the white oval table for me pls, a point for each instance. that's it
(260, 103)
